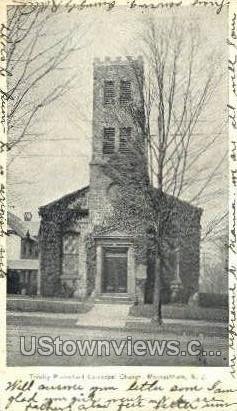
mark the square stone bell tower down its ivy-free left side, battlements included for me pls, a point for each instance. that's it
(117, 95)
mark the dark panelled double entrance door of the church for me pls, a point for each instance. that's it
(115, 270)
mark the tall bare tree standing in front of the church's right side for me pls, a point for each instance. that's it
(175, 95)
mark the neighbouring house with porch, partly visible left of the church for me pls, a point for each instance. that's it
(22, 256)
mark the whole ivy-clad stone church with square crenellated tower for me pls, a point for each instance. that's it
(83, 254)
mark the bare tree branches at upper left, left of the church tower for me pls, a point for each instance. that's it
(37, 50)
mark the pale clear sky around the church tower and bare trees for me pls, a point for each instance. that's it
(57, 162)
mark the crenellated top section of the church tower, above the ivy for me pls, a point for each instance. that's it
(117, 104)
